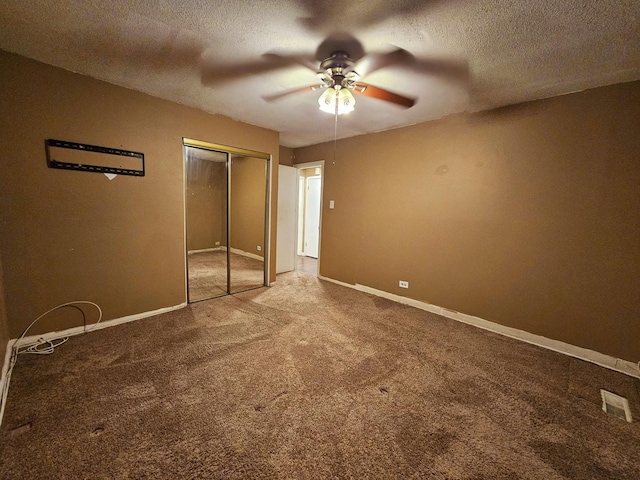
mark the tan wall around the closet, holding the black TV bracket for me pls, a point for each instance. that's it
(78, 236)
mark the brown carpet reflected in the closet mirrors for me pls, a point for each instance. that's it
(208, 274)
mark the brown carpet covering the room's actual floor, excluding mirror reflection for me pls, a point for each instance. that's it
(312, 380)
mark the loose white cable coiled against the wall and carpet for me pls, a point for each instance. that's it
(41, 346)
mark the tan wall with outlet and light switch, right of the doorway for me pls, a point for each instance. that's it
(528, 216)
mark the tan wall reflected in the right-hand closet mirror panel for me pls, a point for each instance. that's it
(248, 190)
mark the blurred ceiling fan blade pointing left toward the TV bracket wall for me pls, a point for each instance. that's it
(213, 73)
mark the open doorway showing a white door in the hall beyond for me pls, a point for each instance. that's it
(310, 181)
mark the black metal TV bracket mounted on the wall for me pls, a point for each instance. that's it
(82, 157)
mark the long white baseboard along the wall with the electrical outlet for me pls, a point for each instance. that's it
(607, 361)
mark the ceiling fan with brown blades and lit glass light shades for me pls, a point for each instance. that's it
(342, 64)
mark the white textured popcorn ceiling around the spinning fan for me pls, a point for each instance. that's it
(517, 51)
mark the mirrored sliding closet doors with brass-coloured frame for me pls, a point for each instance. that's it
(226, 192)
